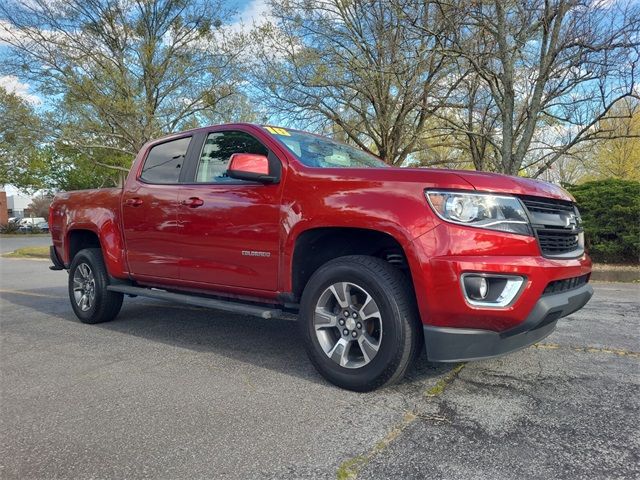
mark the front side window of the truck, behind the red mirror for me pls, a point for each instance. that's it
(217, 151)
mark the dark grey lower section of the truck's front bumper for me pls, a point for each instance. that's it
(445, 344)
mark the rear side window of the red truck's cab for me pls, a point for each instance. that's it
(164, 161)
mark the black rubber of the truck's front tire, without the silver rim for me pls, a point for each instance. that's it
(394, 329)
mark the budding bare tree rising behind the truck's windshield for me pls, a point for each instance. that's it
(357, 68)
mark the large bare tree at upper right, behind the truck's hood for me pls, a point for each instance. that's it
(541, 75)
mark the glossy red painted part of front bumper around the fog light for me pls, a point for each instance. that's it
(441, 257)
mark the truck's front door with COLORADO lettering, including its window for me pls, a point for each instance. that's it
(230, 228)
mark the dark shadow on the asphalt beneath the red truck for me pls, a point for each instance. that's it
(273, 344)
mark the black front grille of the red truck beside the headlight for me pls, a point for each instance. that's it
(556, 224)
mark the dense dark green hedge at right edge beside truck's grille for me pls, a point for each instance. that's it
(610, 210)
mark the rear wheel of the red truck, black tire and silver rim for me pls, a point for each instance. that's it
(88, 281)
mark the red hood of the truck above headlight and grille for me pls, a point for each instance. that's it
(496, 183)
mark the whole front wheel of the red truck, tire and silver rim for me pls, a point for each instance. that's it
(387, 341)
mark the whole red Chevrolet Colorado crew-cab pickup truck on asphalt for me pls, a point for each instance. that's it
(375, 260)
